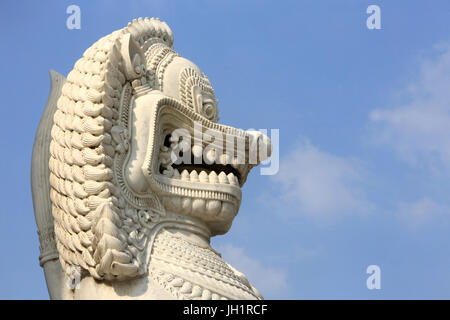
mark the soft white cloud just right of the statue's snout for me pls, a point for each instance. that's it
(321, 184)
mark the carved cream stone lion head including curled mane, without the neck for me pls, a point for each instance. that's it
(136, 146)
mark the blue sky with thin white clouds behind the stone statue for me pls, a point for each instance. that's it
(364, 120)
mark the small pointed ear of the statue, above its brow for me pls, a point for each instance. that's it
(133, 57)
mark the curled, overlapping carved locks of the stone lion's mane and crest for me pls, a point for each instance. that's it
(90, 220)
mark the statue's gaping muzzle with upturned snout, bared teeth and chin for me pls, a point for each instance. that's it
(196, 167)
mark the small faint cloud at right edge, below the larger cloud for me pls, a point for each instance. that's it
(421, 212)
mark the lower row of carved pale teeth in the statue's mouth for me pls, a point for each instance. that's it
(193, 176)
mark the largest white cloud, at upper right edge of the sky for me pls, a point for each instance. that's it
(419, 129)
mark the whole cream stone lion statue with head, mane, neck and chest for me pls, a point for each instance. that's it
(132, 175)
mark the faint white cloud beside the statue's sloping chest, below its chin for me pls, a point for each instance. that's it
(269, 282)
